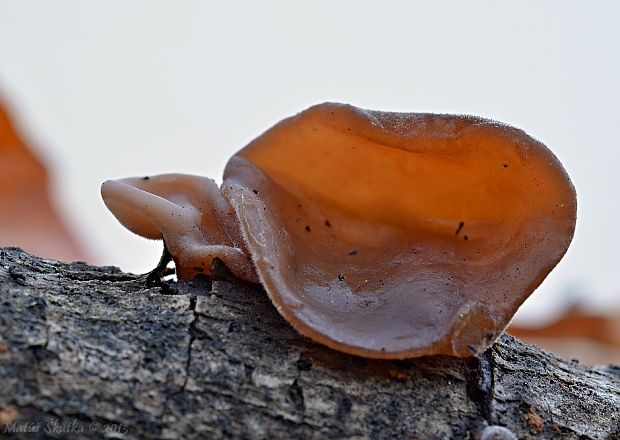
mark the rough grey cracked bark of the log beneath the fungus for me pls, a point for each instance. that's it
(213, 359)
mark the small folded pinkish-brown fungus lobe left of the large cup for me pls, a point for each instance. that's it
(189, 213)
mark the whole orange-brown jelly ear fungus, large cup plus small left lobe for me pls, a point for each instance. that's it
(385, 235)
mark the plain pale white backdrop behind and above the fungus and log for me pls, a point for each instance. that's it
(122, 88)
